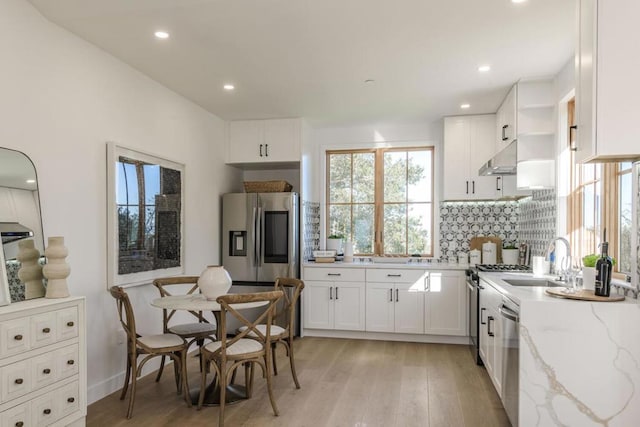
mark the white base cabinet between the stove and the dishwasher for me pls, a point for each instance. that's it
(490, 335)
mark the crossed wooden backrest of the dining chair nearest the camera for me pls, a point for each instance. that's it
(265, 318)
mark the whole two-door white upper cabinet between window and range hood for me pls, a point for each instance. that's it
(469, 141)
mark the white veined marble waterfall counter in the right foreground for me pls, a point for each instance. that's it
(579, 361)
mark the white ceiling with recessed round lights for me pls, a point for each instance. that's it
(310, 58)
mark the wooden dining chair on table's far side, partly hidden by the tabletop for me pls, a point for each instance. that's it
(194, 332)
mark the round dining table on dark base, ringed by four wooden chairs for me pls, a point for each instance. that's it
(198, 302)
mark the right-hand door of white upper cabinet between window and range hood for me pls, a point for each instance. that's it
(481, 146)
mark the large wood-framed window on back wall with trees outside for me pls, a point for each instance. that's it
(382, 199)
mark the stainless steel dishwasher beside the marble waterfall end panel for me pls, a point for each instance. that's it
(510, 318)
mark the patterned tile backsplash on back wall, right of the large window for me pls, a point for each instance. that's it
(461, 221)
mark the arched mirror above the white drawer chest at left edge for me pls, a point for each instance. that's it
(20, 219)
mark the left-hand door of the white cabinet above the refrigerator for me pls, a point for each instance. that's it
(244, 141)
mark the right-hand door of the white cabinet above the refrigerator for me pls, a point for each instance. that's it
(282, 138)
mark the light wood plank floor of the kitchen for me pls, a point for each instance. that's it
(344, 383)
